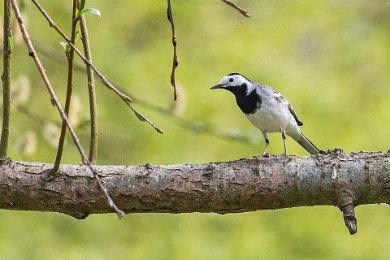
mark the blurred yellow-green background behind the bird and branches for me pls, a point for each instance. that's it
(330, 58)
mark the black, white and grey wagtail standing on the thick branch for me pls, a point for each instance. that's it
(267, 109)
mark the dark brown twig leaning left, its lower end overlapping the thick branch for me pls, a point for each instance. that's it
(69, 88)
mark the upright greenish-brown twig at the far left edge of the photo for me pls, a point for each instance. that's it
(7, 49)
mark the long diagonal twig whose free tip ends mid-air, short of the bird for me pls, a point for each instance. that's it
(105, 81)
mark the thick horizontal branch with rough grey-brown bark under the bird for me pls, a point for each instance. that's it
(334, 178)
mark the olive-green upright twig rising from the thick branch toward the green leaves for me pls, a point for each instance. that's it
(93, 144)
